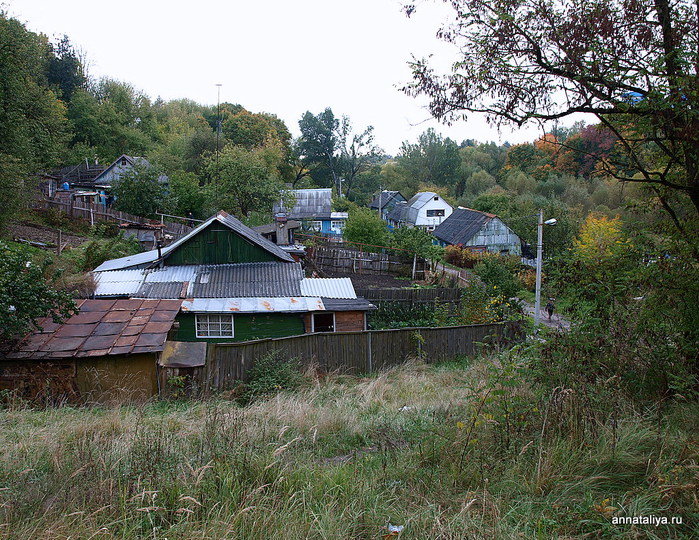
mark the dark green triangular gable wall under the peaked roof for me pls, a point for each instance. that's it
(218, 244)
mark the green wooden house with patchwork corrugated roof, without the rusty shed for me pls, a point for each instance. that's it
(235, 285)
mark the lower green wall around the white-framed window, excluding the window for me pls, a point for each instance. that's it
(246, 327)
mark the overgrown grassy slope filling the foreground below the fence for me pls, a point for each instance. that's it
(449, 451)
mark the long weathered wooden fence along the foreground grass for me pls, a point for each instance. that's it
(347, 352)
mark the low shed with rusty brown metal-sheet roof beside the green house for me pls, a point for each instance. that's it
(106, 352)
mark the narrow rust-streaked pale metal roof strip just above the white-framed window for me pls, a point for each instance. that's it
(253, 305)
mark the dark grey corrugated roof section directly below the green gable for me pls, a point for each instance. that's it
(268, 279)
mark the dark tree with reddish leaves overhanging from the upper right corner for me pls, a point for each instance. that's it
(631, 63)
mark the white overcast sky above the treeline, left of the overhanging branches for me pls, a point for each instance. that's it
(278, 56)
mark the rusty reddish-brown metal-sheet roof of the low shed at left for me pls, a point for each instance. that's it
(103, 327)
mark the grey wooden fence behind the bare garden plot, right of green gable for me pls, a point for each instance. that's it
(364, 262)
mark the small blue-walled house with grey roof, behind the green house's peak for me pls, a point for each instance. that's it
(313, 207)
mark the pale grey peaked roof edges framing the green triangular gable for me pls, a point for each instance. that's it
(143, 260)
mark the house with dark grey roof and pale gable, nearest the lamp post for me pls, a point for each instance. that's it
(479, 231)
